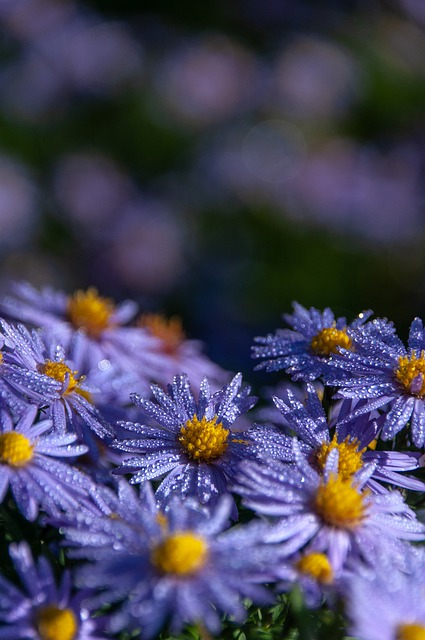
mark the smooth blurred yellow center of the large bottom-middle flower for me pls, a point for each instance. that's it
(182, 554)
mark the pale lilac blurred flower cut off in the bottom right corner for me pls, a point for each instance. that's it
(386, 604)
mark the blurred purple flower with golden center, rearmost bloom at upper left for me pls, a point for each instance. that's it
(90, 327)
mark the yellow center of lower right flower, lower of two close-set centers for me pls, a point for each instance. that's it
(339, 504)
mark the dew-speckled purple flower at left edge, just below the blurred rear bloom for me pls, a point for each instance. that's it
(34, 366)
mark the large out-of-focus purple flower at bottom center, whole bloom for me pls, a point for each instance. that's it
(183, 566)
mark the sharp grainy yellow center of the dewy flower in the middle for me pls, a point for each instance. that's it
(204, 440)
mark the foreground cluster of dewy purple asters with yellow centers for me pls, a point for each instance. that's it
(172, 506)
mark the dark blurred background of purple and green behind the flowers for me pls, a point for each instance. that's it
(217, 160)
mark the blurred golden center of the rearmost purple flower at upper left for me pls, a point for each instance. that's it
(90, 312)
